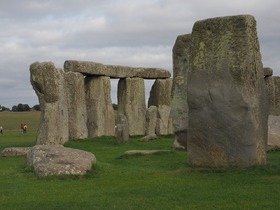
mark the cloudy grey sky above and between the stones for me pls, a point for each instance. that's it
(137, 33)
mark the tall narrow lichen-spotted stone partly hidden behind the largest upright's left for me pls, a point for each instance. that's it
(179, 104)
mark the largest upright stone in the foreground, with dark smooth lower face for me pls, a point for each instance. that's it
(226, 94)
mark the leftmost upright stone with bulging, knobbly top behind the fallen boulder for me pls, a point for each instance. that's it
(48, 83)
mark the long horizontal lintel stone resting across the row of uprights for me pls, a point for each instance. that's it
(93, 68)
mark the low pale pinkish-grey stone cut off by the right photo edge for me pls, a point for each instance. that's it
(273, 131)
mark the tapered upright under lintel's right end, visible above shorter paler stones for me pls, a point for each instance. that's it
(160, 93)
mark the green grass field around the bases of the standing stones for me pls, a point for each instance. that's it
(162, 181)
